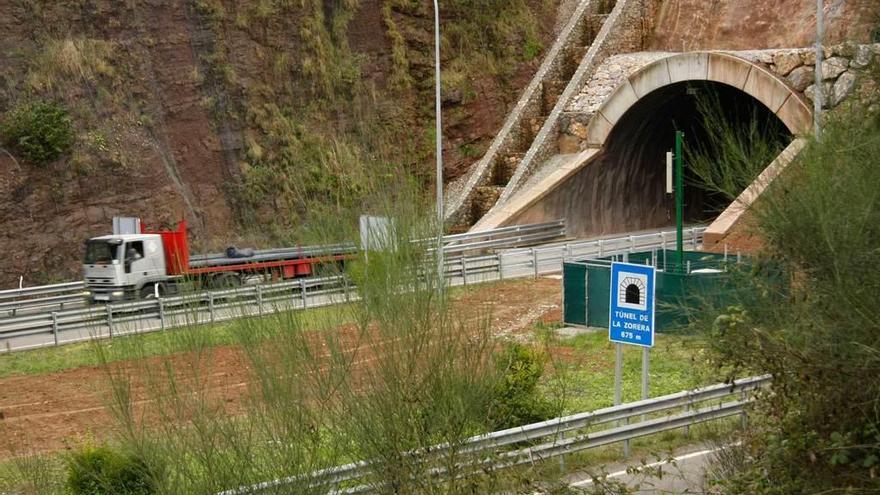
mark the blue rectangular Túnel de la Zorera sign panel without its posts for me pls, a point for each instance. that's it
(632, 304)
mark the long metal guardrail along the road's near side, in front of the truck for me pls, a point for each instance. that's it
(112, 320)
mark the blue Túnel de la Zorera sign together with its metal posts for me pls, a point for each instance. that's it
(631, 320)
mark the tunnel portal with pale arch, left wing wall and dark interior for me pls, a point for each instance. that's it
(618, 183)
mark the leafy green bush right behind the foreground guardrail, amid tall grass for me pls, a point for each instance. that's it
(516, 398)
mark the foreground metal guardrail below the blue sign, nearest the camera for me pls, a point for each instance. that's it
(539, 442)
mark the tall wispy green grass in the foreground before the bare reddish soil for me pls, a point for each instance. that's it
(393, 372)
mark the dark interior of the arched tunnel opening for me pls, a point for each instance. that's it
(628, 184)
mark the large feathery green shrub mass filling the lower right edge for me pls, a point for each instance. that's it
(818, 431)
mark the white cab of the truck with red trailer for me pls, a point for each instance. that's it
(127, 266)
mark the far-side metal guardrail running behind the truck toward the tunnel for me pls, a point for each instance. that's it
(59, 295)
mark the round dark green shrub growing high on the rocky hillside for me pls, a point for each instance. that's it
(39, 131)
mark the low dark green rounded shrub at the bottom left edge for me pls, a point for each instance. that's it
(101, 470)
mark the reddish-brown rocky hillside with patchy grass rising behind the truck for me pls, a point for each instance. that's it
(242, 116)
